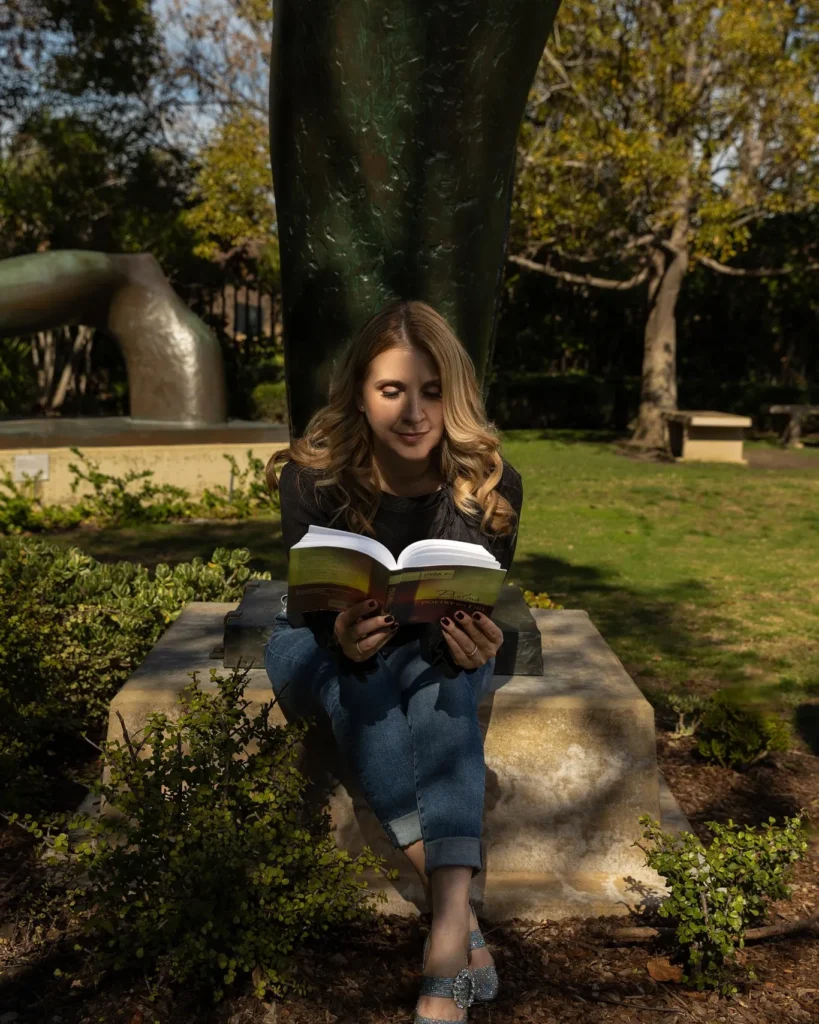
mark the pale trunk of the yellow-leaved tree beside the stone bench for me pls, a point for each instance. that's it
(660, 353)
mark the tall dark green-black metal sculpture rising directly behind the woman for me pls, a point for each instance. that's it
(394, 130)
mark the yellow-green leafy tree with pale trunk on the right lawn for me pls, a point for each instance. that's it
(658, 134)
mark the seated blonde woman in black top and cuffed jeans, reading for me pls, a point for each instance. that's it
(404, 452)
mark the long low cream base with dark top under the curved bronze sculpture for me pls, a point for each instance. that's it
(189, 456)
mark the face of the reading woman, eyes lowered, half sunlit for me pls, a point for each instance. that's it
(402, 399)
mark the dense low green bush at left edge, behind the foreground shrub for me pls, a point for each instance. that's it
(72, 630)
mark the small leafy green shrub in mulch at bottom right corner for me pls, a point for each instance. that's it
(717, 892)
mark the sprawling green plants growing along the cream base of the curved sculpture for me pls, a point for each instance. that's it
(134, 499)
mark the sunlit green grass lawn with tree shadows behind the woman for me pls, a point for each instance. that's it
(699, 575)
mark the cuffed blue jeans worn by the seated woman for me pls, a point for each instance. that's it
(409, 735)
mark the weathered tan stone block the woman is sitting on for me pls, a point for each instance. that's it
(572, 765)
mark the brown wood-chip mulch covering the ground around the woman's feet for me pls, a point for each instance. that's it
(558, 972)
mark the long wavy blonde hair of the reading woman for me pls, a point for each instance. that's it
(338, 439)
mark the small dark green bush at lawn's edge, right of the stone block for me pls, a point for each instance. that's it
(737, 737)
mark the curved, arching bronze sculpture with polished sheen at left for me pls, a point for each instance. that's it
(176, 370)
